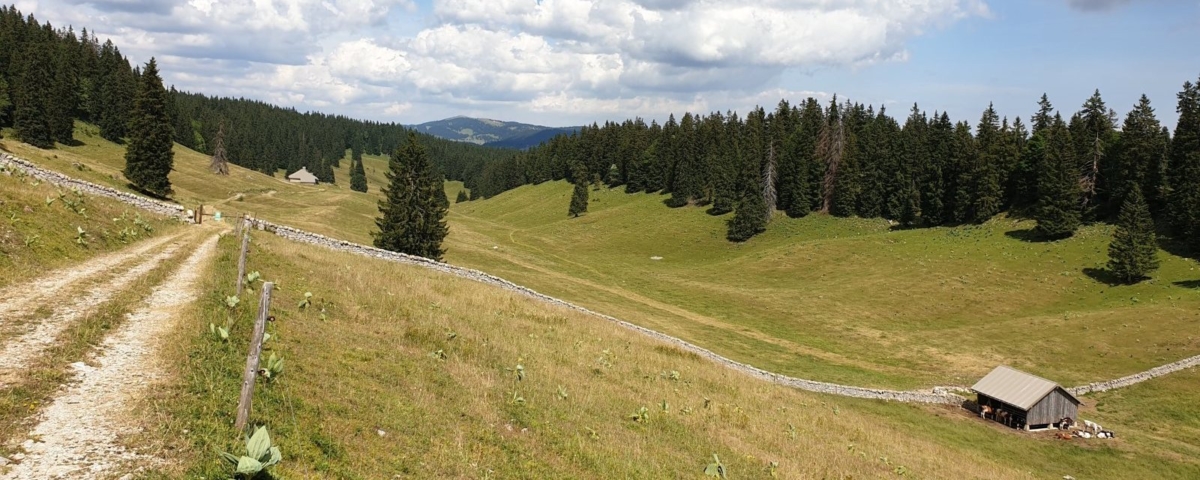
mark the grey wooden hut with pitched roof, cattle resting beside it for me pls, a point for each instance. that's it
(1023, 400)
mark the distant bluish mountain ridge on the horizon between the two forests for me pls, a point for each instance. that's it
(511, 135)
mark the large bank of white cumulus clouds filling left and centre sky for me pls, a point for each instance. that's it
(571, 59)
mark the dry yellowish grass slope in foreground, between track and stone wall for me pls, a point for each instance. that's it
(397, 371)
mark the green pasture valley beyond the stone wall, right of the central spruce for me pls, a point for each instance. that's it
(842, 299)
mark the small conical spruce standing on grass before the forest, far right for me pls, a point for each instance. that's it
(1133, 253)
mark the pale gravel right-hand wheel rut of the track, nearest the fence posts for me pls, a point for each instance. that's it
(77, 434)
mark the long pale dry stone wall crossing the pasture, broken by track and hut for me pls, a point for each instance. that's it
(946, 395)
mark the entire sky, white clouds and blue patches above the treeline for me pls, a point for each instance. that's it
(562, 63)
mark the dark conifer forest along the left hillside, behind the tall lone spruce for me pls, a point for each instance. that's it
(51, 77)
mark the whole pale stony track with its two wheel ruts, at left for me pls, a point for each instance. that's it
(77, 434)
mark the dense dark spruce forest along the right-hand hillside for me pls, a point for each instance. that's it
(851, 160)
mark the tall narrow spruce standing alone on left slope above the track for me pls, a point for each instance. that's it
(149, 158)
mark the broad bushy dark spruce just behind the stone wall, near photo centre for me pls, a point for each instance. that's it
(412, 219)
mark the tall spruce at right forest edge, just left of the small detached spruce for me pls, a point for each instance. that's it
(1058, 213)
